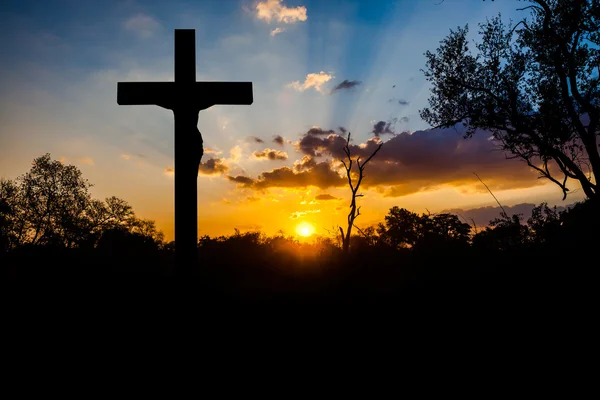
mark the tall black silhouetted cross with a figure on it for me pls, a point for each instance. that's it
(185, 97)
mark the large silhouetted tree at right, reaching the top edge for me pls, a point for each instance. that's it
(534, 86)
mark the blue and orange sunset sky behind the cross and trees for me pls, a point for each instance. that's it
(319, 69)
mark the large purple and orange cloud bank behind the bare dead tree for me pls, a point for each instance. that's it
(408, 162)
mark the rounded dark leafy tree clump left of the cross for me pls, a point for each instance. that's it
(51, 205)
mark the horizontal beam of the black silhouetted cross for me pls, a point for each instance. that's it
(171, 94)
